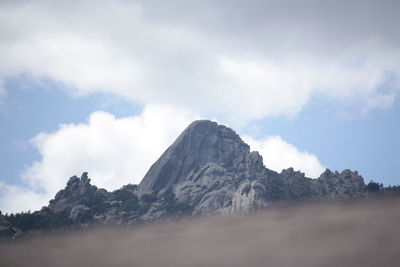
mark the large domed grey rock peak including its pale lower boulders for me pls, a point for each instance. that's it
(207, 167)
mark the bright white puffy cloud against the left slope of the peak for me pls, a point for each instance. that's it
(115, 152)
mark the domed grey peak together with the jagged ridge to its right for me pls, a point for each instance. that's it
(210, 168)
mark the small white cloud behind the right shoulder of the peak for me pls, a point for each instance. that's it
(278, 155)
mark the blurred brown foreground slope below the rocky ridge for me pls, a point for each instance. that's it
(364, 233)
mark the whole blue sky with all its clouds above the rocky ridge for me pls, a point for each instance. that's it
(107, 86)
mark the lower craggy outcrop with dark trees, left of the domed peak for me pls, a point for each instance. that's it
(81, 204)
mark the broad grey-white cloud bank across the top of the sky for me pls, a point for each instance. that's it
(269, 61)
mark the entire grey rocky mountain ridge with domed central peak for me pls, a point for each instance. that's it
(207, 170)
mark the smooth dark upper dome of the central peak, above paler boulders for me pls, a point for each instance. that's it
(201, 143)
